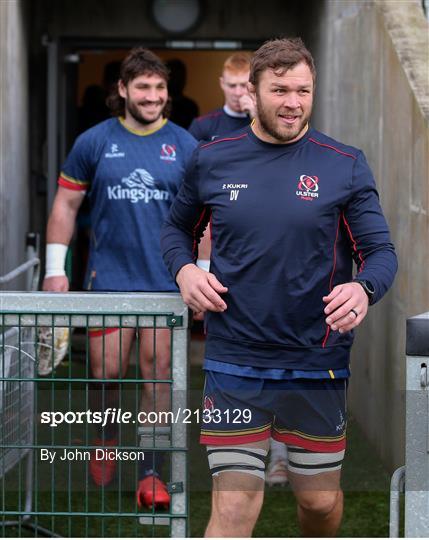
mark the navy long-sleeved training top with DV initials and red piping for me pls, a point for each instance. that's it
(287, 220)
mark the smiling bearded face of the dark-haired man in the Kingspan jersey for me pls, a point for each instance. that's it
(145, 99)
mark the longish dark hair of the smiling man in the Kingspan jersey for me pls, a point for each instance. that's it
(139, 61)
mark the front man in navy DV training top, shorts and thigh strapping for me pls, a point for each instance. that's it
(291, 209)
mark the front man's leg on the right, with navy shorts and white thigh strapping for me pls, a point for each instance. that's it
(312, 422)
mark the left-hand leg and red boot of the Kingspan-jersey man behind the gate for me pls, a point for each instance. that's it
(109, 355)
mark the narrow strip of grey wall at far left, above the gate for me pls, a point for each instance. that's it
(14, 127)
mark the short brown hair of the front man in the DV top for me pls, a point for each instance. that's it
(280, 55)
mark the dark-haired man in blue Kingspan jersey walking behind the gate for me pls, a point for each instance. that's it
(132, 166)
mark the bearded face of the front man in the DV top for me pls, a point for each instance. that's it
(284, 102)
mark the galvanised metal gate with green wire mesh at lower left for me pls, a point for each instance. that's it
(65, 500)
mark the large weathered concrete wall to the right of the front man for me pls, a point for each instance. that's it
(372, 93)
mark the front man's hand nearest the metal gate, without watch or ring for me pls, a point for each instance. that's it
(200, 289)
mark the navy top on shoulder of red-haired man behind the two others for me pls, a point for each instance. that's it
(215, 124)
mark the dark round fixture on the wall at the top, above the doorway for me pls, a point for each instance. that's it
(176, 16)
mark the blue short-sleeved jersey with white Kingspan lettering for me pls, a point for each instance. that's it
(132, 178)
